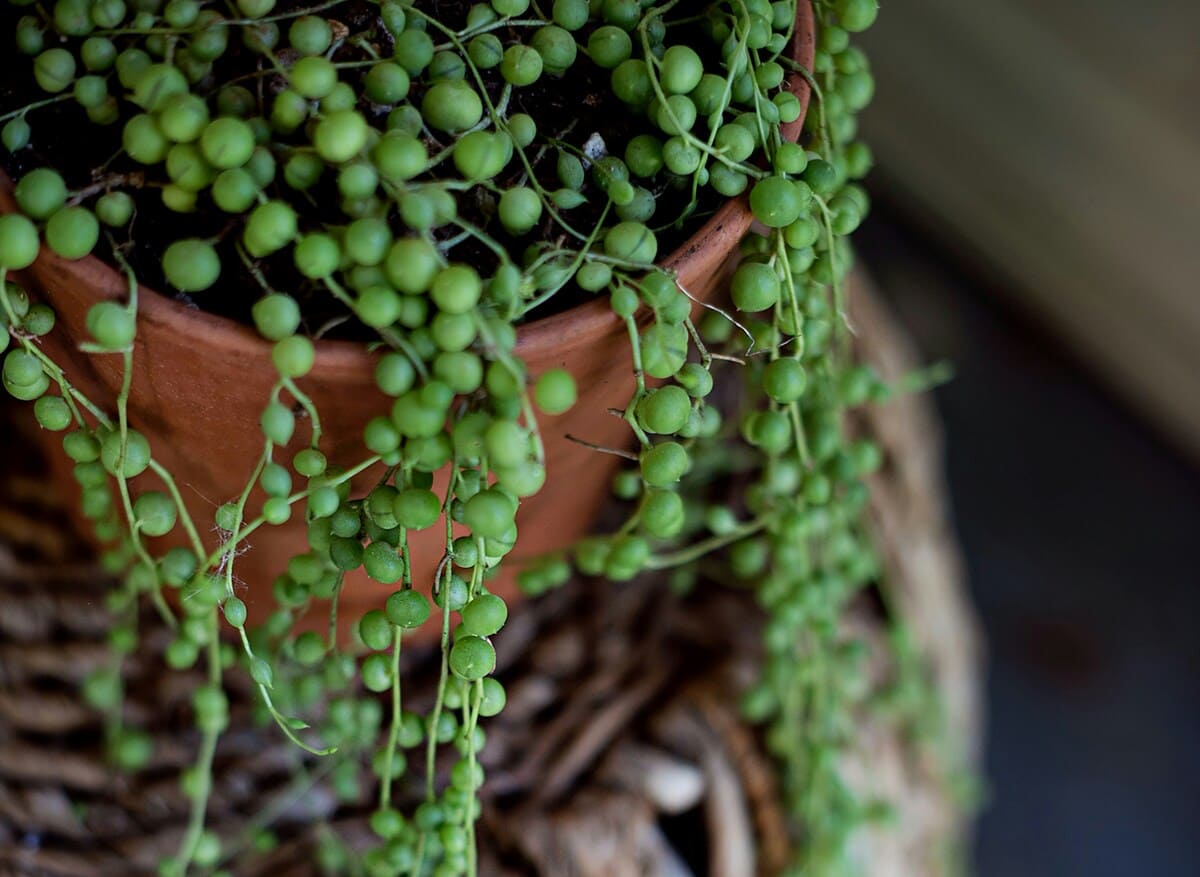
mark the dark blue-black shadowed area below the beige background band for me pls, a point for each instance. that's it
(1077, 524)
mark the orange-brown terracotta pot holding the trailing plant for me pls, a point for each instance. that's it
(201, 382)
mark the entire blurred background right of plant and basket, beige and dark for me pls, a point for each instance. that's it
(1037, 224)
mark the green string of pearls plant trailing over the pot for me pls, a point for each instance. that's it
(369, 158)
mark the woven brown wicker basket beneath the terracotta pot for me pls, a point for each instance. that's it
(621, 753)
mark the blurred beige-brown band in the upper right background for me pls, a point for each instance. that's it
(1059, 143)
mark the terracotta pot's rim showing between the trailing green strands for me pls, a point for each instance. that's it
(592, 319)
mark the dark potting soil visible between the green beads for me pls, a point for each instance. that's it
(573, 109)
